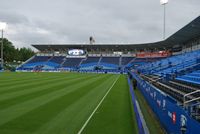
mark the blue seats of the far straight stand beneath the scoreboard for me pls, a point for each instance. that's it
(71, 62)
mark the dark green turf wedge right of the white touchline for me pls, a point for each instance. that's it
(114, 116)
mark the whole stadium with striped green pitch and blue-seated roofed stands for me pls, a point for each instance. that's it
(149, 88)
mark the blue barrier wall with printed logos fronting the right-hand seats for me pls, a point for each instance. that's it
(173, 118)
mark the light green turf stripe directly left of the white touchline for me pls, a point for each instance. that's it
(71, 118)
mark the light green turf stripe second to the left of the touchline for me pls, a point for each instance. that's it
(18, 110)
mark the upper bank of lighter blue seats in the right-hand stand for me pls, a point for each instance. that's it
(172, 64)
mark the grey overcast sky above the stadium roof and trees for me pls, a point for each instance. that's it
(108, 21)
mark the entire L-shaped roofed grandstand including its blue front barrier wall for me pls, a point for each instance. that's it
(169, 78)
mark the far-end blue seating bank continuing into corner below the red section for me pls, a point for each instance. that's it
(82, 63)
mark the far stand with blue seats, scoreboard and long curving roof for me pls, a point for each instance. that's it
(112, 57)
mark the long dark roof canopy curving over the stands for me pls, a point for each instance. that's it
(184, 35)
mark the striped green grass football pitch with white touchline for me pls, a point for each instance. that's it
(65, 103)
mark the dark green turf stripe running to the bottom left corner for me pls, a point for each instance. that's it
(45, 112)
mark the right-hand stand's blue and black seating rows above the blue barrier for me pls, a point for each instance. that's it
(178, 77)
